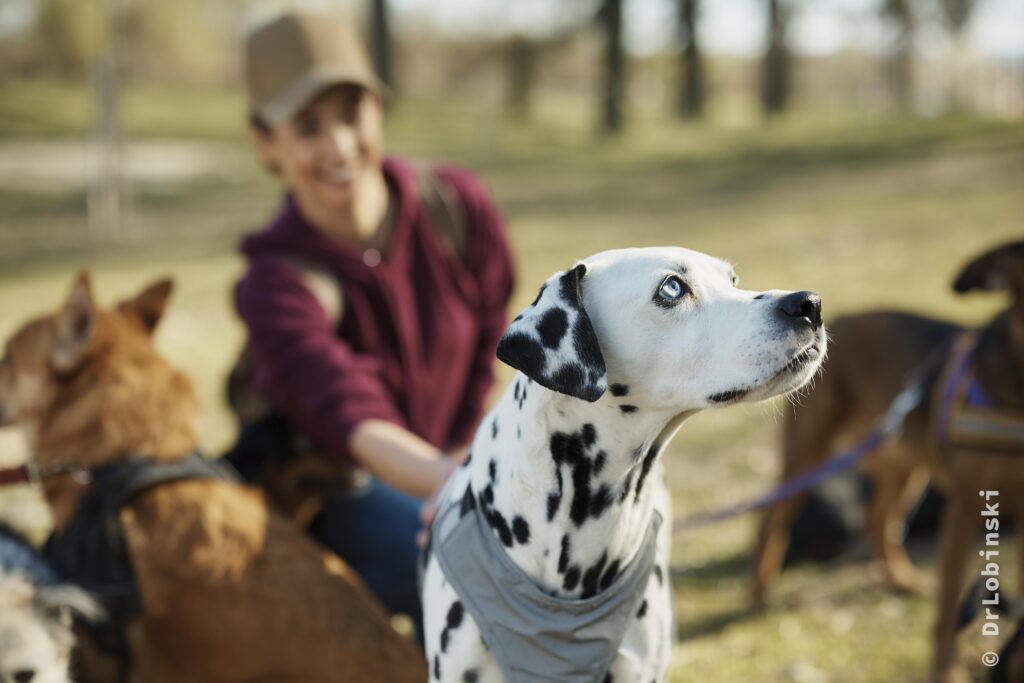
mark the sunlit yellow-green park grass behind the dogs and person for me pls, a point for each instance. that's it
(868, 212)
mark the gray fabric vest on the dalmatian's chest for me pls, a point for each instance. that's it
(535, 636)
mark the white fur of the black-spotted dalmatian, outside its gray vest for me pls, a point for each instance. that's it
(675, 360)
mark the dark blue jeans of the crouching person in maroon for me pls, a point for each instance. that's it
(374, 531)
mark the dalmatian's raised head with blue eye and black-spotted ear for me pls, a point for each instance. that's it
(669, 327)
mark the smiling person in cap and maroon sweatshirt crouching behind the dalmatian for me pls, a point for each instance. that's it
(396, 380)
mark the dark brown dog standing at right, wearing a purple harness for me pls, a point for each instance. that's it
(871, 357)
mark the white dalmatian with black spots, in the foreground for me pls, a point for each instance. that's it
(612, 357)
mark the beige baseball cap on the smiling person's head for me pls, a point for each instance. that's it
(293, 58)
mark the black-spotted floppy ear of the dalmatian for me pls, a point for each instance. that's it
(553, 343)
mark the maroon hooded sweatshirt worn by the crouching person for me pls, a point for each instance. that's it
(417, 338)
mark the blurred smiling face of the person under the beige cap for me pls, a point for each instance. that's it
(329, 151)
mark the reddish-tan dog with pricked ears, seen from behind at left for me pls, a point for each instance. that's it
(229, 590)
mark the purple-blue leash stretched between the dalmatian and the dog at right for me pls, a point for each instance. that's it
(889, 428)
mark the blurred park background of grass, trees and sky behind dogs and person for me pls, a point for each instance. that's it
(863, 149)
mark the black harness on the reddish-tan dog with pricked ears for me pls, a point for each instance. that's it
(92, 552)
